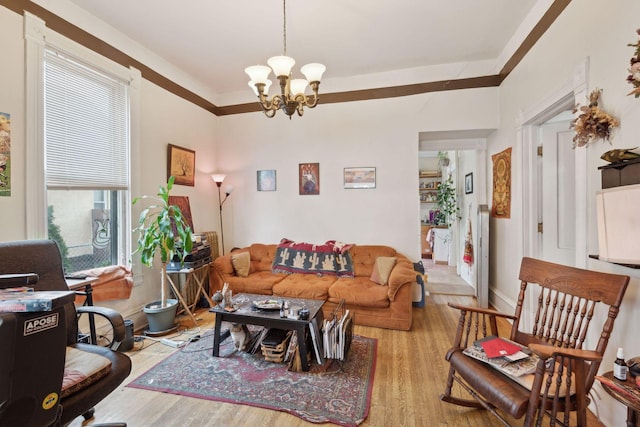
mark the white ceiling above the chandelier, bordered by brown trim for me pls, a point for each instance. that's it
(214, 40)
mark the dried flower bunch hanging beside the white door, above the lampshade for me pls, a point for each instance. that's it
(592, 123)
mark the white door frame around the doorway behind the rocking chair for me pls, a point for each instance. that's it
(571, 93)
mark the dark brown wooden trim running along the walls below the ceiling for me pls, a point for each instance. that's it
(99, 46)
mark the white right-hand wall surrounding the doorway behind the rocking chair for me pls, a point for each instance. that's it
(600, 31)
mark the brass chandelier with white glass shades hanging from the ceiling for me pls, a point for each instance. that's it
(291, 98)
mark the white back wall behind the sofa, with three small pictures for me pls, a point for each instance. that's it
(382, 134)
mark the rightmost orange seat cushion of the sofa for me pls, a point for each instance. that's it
(359, 291)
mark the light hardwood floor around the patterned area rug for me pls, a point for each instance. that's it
(410, 375)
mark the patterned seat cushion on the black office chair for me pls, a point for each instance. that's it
(82, 369)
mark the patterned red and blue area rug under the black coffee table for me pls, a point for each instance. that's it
(327, 394)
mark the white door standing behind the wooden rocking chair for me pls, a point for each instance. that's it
(557, 201)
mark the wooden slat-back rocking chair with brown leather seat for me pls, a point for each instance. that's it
(567, 299)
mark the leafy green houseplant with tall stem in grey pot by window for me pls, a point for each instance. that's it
(162, 229)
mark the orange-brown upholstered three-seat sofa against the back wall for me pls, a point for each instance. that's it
(385, 306)
